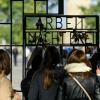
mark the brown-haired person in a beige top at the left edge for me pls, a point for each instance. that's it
(6, 90)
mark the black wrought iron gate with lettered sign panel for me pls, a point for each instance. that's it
(52, 29)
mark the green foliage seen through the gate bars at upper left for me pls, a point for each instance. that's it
(17, 17)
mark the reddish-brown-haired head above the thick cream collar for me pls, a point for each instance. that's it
(78, 56)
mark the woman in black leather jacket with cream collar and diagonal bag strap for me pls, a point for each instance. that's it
(79, 67)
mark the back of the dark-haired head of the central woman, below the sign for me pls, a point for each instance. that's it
(51, 57)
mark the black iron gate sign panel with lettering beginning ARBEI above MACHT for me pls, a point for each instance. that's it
(57, 27)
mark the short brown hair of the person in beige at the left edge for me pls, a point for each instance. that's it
(4, 62)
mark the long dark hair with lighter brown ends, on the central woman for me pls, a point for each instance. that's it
(51, 59)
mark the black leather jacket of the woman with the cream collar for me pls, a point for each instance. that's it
(73, 91)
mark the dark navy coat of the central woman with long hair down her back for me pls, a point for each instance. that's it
(37, 92)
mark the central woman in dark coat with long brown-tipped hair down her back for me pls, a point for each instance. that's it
(44, 81)
